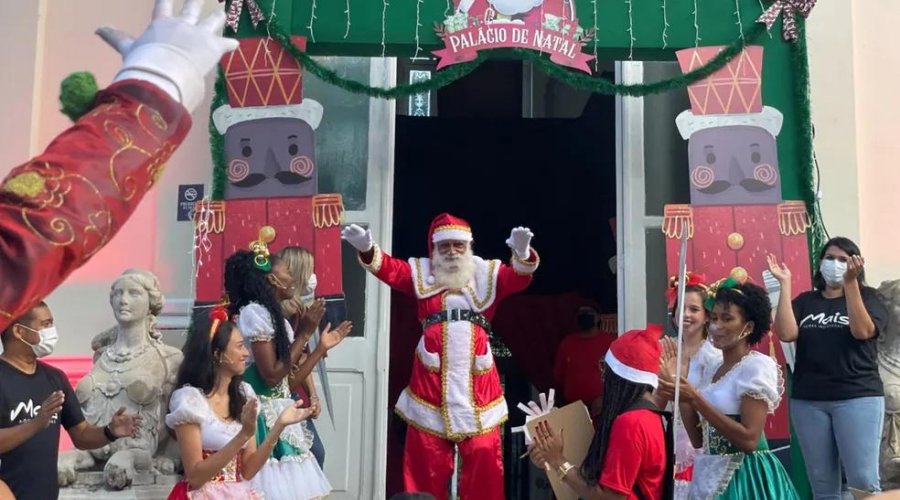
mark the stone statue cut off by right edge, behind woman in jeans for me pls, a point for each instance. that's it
(889, 367)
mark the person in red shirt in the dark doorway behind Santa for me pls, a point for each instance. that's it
(577, 366)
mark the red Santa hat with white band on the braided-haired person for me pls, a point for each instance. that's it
(635, 355)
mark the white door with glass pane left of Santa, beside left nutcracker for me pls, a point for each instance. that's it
(354, 149)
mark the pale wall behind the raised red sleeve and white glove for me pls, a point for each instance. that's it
(52, 39)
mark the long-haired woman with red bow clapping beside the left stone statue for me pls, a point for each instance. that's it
(213, 414)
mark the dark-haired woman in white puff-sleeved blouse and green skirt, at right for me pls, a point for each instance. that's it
(727, 412)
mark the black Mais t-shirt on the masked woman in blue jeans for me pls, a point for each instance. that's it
(831, 364)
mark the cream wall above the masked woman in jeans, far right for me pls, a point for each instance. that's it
(854, 69)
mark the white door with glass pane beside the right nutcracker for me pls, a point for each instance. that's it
(649, 147)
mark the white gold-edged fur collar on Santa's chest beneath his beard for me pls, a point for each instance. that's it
(480, 293)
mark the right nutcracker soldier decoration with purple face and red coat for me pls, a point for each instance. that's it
(736, 217)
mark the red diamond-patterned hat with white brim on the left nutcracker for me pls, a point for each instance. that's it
(264, 81)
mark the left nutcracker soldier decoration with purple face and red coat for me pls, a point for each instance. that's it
(272, 176)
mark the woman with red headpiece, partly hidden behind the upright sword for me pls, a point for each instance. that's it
(698, 357)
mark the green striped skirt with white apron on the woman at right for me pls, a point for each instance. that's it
(724, 472)
